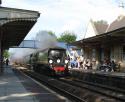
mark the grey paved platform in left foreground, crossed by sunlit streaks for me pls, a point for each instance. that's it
(15, 87)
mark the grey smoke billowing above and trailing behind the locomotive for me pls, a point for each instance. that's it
(43, 40)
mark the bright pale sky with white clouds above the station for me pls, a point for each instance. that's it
(66, 15)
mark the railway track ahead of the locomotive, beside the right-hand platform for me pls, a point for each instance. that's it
(98, 88)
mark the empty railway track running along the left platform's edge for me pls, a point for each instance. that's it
(55, 85)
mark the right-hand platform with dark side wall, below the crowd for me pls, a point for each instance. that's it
(111, 79)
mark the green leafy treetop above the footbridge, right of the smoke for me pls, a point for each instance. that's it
(67, 37)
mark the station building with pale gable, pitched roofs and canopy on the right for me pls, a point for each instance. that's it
(105, 42)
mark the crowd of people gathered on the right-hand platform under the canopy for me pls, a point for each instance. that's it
(81, 63)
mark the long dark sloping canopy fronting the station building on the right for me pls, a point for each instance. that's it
(112, 37)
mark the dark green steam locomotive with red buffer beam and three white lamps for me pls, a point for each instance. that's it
(50, 61)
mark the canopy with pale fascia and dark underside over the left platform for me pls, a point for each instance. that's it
(15, 25)
